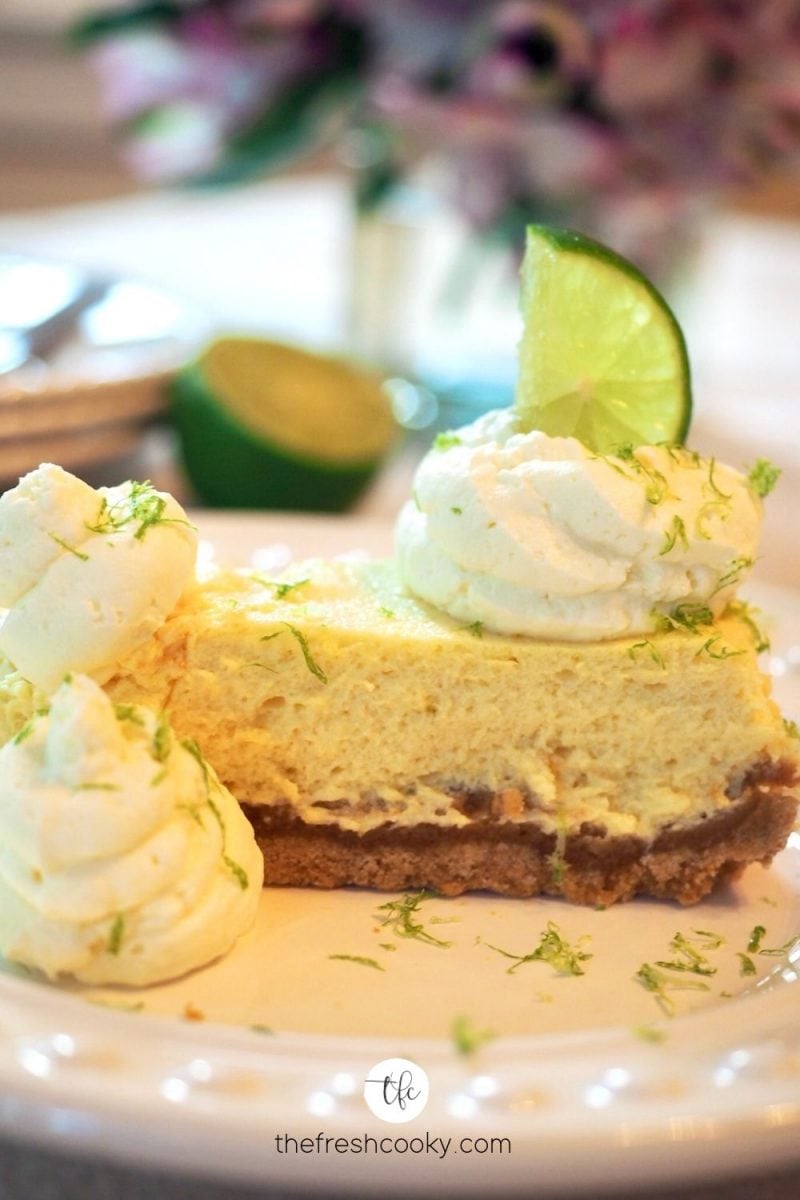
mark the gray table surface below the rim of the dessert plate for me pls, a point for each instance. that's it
(33, 1174)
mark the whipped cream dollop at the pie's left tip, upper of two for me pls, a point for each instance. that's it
(87, 575)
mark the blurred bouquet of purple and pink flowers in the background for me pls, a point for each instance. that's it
(617, 116)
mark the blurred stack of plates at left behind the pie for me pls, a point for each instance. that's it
(85, 363)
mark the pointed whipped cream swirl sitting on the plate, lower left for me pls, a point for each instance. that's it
(123, 859)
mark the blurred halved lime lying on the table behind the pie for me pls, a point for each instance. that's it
(267, 425)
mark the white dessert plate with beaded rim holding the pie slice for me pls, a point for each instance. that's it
(255, 1069)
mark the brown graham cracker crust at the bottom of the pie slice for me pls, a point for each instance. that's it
(521, 860)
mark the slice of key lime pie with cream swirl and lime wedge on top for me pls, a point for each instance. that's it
(552, 688)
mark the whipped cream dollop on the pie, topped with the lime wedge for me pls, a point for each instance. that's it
(531, 535)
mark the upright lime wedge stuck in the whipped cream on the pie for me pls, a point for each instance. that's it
(601, 358)
